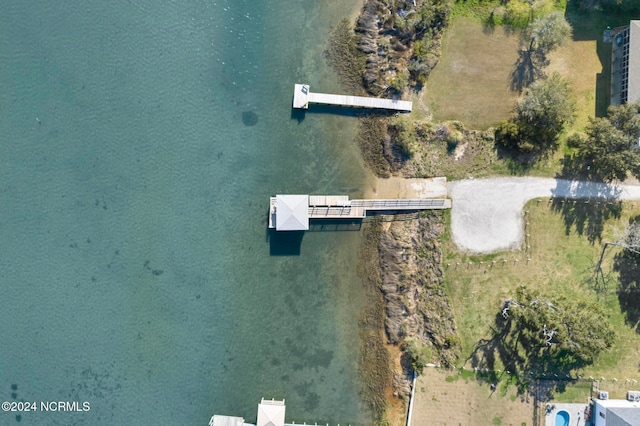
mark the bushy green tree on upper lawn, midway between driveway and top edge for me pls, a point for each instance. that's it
(541, 114)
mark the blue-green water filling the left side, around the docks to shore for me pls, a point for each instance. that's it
(135, 270)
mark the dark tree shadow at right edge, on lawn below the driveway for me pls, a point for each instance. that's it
(627, 264)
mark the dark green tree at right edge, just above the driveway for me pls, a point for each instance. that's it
(609, 149)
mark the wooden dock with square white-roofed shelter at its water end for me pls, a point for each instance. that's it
(293, 212)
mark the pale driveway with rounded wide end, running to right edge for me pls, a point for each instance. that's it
(487, 213)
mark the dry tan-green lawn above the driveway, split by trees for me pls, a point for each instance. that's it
(471, 83)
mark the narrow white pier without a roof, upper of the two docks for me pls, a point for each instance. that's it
(302, 97)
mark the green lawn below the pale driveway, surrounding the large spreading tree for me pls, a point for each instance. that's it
(562, 259)
